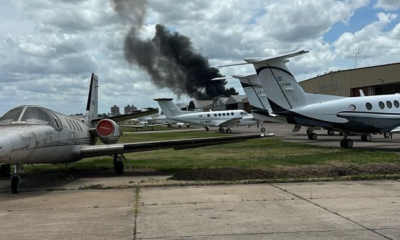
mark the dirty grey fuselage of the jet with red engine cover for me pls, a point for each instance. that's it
(23, 143)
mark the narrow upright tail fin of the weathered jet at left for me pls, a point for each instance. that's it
(92, 103)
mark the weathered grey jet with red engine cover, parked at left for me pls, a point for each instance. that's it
(36, 135)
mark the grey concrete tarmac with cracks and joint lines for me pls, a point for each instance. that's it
(59, 206)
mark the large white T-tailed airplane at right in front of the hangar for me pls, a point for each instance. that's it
(349, 115)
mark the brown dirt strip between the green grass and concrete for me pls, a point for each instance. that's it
(313, 171)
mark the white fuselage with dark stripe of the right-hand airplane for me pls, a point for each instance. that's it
(371, 114)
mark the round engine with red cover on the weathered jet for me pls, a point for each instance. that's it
(108, 131)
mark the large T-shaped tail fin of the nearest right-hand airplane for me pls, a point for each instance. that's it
(282, 89)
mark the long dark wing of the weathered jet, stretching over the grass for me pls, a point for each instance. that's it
(111, 149)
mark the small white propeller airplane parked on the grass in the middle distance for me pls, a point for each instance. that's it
(221, 119)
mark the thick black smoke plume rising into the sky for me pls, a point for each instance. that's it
(169, 57)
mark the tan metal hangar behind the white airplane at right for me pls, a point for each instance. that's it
(375, 80)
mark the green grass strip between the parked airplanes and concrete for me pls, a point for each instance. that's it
(264, 153)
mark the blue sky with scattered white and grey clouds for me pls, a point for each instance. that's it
(49, 48)
